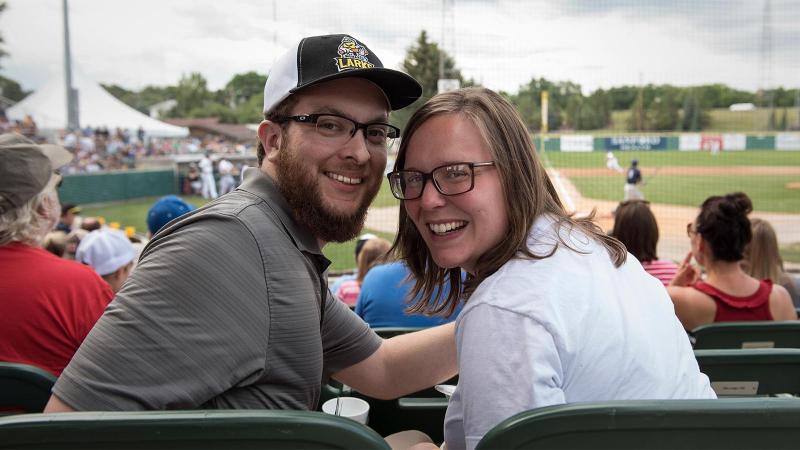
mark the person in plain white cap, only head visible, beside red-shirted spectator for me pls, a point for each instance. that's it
(110, 253)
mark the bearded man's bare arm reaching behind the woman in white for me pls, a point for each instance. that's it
(404, 364)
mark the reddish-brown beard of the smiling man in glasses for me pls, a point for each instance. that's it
(302, 192)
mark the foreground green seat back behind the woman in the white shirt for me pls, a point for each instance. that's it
(742, 423)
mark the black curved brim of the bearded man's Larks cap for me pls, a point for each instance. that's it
(400, 89)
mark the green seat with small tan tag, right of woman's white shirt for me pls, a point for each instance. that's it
(747, 372)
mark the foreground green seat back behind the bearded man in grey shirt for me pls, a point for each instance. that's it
(156, 430)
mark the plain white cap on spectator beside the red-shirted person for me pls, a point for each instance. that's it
(105, 250)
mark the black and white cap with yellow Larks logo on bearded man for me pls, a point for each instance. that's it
(317, 59)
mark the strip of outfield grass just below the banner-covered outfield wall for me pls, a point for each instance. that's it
(675, 158)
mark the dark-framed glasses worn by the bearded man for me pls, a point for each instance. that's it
(339, 129)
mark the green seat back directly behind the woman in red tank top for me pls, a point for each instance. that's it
(784, 334)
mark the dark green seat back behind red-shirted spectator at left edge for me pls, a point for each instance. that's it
(24, 388)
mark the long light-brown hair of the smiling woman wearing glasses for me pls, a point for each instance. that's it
(527, 190)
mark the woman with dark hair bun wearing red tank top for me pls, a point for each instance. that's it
(718, 237)
